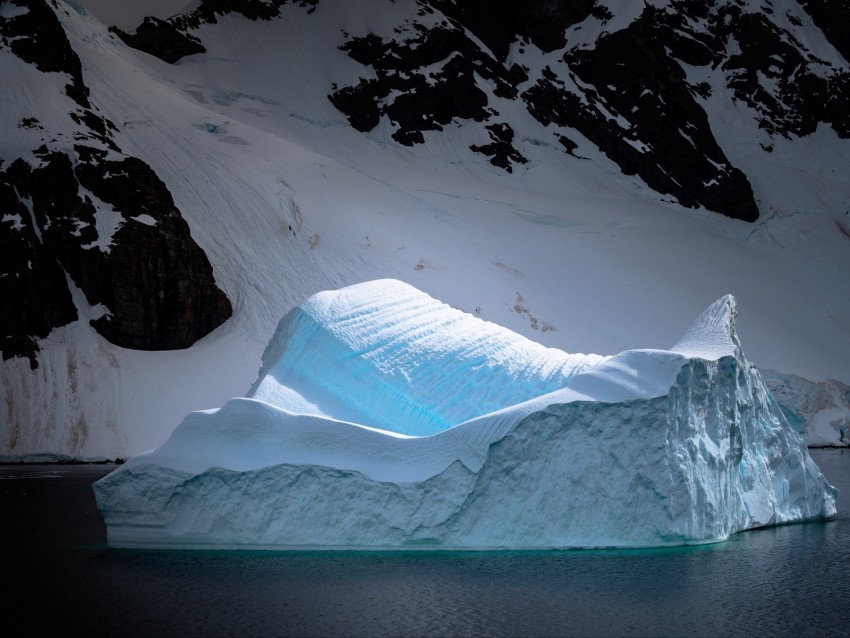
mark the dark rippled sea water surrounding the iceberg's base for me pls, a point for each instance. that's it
(64, 581)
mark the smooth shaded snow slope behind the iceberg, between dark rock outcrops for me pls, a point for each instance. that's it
(286, 199)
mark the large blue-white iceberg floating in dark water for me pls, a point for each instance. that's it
(382, 418)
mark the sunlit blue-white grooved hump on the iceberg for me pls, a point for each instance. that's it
(386, 355)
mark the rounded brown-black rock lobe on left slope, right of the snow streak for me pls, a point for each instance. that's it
(159, 284)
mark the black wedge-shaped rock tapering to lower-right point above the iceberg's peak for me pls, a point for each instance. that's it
(637, 106)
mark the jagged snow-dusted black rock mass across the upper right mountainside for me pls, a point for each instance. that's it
(627, 92)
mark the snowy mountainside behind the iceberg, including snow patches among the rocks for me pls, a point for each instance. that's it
(286, 197)
